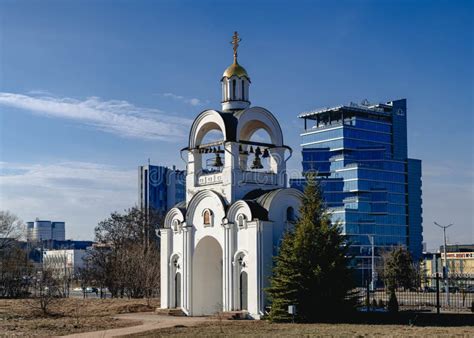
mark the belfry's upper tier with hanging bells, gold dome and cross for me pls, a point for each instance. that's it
(236, 163)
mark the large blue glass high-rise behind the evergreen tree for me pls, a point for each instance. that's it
(359, 153)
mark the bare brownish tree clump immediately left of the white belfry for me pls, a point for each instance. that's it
(126, 259)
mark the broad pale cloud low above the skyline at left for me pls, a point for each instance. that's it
(79, 193)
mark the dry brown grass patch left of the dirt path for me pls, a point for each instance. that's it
(73, 315)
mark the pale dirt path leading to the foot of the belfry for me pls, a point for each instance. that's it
(149, 321)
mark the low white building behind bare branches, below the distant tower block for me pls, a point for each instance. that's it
(64, 262)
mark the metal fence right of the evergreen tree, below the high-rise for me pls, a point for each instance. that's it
(430, 296)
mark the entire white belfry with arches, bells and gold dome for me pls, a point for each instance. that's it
(217, 247)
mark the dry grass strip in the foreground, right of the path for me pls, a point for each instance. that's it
(266, 329)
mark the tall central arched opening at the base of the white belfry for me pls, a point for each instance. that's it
(207, 277)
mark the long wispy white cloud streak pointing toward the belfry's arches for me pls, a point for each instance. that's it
(115, 116)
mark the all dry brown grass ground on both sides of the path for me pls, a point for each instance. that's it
(17, 317)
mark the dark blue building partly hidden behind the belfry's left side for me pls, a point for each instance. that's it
(160, 188)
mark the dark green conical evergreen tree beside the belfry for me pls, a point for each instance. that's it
(311, 270)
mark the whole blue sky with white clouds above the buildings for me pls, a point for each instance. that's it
(91, 89)
